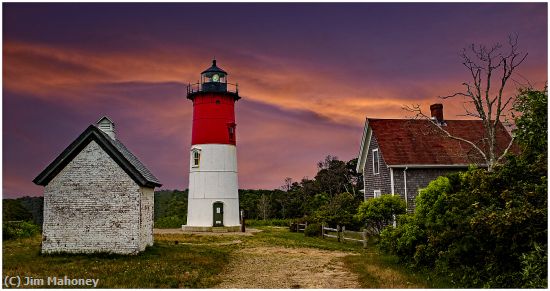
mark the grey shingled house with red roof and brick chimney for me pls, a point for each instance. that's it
(400, 156)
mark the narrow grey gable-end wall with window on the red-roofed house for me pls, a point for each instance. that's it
(380, 181)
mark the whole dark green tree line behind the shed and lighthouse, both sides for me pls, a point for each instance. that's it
(333, 191)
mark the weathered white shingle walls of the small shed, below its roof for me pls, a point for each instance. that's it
(92, 205)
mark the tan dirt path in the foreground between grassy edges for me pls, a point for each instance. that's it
(279, 267)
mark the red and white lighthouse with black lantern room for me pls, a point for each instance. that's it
(213, 202)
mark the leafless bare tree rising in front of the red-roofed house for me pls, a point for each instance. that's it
(483, 98)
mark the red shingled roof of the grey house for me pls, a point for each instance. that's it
(420, 142)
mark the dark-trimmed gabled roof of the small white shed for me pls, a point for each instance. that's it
(114, 148)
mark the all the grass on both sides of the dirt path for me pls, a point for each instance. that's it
(194, 261)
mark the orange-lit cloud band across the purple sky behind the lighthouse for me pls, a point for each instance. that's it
(52, 72)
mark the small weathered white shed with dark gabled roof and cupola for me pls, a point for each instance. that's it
(98, 196)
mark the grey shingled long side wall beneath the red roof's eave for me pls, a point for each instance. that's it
(416, 179)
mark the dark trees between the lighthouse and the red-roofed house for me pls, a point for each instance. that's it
(335, 186)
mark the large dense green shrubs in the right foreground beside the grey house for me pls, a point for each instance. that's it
(480, 228)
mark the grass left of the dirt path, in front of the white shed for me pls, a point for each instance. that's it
(165, 265)
